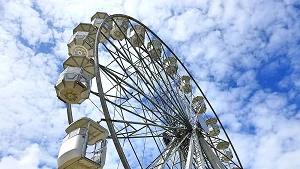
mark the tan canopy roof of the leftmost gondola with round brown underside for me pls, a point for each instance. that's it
(81, 61)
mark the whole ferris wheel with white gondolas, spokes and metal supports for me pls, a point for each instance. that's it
(154, 111)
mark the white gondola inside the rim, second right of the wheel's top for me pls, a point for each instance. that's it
(137, 35)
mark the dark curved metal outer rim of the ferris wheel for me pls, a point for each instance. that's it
(103, 102)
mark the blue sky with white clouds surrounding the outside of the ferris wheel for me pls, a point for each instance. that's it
(244, 54)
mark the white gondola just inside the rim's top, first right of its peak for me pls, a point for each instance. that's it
(119, 28)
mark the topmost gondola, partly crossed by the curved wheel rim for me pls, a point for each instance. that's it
(97, 19)
